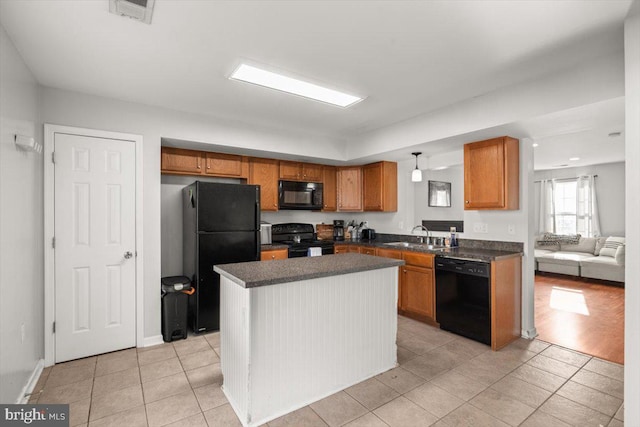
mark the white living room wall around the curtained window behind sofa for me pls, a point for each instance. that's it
(609, 191)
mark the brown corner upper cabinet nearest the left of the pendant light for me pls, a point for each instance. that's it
(380, 187)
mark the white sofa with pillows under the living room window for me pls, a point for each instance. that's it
(596, 258)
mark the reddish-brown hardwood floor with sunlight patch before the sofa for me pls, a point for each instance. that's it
(582, 315)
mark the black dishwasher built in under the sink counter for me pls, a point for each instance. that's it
(463, 300)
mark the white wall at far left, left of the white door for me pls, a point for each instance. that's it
(21, 226)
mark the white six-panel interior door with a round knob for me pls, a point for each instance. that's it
(95, 254)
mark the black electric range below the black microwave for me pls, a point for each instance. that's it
(299, 238)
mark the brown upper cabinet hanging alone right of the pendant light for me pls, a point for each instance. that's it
(492, 174)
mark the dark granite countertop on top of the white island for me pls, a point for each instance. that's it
(259, 273)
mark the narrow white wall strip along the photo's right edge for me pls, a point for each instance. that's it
(632, 269)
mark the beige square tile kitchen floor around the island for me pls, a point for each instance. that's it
(443, 380)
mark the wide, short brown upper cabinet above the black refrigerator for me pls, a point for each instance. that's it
(179, 161)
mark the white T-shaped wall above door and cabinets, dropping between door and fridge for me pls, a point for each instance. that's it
(153, 123)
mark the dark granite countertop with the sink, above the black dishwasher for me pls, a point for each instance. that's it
(468, 253)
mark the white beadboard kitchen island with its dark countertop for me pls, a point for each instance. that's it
(297, 330)
